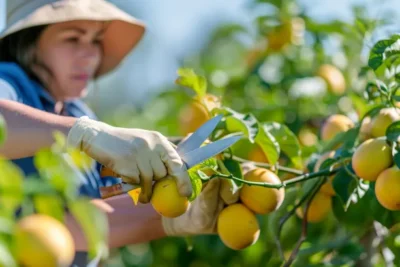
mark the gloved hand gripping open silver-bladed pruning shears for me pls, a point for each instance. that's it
(140, 157)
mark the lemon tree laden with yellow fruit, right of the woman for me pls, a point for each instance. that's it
(321, 135)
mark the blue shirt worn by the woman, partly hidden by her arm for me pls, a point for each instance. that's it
(16, 85)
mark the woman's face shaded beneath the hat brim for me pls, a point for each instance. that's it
(68, 55)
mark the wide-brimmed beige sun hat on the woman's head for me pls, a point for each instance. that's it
(122, 34)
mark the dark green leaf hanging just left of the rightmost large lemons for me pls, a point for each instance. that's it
(344, 185)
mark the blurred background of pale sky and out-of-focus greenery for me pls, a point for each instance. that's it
(259, 56)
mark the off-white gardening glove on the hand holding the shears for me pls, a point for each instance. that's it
(137, 156)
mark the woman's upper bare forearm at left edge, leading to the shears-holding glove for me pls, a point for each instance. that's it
(29, 129)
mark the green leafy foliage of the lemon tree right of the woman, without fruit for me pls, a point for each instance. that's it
(276, 96)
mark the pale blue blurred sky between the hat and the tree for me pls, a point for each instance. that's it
(179, 29)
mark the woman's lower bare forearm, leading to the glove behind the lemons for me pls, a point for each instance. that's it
(128, 223)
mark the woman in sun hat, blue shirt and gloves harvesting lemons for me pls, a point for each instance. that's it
(49, 51)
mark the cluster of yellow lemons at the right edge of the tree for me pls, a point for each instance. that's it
(371, 161)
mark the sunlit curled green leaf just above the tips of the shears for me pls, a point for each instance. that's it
(237, 122)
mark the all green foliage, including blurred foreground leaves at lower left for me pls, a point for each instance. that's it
(273, 92)
